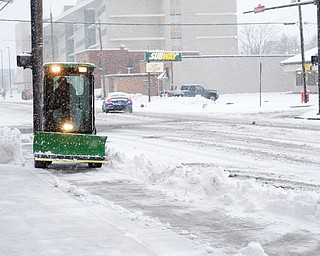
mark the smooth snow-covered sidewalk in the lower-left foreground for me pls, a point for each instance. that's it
(38, 218)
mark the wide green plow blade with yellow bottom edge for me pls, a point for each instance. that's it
(72, 146)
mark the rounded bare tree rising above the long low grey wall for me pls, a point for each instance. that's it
(258, 39)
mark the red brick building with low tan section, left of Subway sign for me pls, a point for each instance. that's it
(124, 70)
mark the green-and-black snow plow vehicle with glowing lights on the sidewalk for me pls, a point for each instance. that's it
(69, 133)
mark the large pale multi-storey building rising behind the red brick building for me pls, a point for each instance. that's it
(193, 25)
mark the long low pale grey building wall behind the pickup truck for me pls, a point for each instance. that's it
(235, 74)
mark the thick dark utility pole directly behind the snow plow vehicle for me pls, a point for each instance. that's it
(37, 62)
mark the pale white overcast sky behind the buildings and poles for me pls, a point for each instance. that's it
(20, 9)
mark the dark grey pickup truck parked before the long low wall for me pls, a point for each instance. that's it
(191, 90)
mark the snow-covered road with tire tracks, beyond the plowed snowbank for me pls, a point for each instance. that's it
(274, 146)
